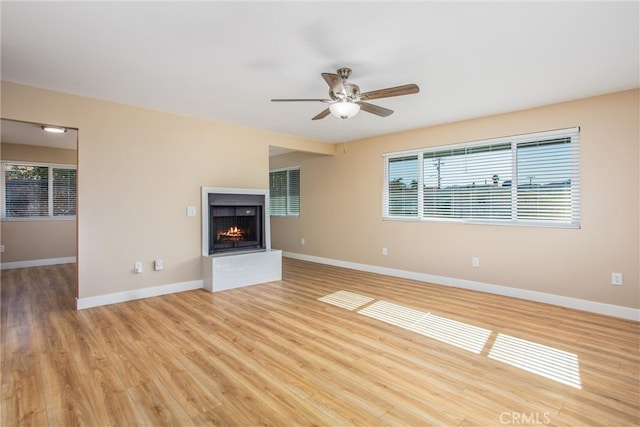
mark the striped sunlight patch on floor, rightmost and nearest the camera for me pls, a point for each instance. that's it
(549, 362)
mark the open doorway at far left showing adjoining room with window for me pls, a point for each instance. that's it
(38, 196)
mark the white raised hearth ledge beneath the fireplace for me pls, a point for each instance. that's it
(221, 273)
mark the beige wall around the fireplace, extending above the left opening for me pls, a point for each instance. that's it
(138, 170)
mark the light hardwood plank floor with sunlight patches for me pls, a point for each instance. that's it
(274, 354)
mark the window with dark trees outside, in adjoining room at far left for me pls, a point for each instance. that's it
(37, 191)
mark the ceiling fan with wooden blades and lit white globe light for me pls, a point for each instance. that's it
(345, 99)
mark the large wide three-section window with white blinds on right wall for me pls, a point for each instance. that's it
(529, 179)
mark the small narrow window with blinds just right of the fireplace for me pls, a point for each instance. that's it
(284, 192)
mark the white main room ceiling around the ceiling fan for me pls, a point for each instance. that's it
(224, 61)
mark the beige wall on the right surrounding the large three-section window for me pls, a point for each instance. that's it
(341, 208)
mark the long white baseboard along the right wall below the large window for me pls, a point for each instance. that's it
(568, 302)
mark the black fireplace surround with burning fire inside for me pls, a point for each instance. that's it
(236, 223)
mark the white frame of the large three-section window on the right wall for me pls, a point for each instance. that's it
(515, 141)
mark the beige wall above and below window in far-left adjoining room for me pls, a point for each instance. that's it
(37, 240)
